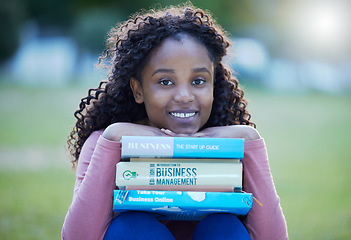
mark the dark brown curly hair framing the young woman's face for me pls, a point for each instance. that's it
(128, 48)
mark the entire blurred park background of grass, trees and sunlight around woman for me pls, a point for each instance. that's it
(293, 59)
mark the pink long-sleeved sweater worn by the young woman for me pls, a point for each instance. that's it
(90, 213)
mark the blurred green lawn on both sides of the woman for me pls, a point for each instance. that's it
(306, 136)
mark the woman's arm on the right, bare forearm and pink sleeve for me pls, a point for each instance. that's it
(268, 221)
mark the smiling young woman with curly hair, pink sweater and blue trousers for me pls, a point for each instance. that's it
(167, 79)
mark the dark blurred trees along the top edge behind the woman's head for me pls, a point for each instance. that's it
(88, 21)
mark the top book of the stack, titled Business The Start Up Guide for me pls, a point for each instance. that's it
(181, 147)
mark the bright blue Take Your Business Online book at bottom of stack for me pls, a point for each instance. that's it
(177, 205)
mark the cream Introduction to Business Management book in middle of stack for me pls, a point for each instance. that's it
(179, 174)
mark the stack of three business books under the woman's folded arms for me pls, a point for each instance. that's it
(181, 178)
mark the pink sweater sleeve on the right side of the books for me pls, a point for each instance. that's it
(267, 221)
